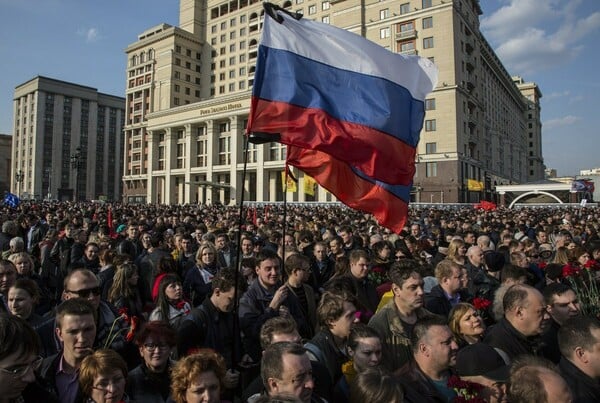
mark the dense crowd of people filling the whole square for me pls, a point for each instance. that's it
(107, 303)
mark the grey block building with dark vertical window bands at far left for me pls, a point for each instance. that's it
(67, 141)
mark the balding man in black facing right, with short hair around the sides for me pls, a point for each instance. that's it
(525, 319)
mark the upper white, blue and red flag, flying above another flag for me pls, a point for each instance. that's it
(324, 88)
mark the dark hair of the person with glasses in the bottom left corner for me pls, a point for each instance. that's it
(16, 335)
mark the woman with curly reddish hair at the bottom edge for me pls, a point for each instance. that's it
(198, 378)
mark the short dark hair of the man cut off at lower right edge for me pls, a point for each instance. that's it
(577, 332)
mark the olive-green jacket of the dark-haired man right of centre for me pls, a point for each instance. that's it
(395, 338)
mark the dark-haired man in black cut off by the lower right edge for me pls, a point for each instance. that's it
(579, 343)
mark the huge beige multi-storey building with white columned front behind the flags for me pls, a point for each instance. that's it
(189, 88)
